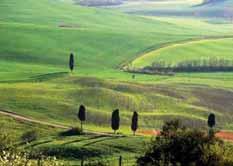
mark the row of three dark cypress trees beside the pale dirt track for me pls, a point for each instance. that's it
(115, 120)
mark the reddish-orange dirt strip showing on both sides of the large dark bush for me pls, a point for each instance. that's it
(226, 135)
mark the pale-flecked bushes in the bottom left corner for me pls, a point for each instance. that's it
(12, 155)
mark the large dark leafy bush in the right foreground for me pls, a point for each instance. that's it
(178, 145)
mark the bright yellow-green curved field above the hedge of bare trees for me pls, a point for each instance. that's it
(188, 51)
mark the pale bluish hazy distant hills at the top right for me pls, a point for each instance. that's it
(220, 10)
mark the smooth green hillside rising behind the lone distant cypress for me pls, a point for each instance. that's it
(96, 36)
